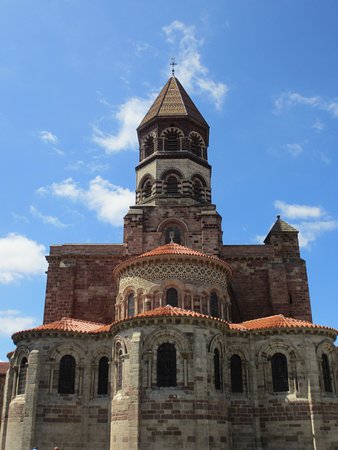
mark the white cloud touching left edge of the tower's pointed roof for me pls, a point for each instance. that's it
(128, 116)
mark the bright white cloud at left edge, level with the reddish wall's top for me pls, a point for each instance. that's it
(20, 257)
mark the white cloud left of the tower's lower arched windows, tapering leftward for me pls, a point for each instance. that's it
(108, 201)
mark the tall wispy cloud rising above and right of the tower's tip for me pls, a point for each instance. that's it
(190, 70)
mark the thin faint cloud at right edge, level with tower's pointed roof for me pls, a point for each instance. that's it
(291, 99)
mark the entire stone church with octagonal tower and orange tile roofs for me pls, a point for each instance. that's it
(174, 339)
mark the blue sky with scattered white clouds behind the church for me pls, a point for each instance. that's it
(77, 76)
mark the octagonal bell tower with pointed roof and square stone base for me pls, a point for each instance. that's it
(173, 178)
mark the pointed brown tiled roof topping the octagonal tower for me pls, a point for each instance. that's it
(173, 101)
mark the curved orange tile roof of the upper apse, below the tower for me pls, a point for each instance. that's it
(173, 250)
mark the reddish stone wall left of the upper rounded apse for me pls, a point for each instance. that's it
(80, 282)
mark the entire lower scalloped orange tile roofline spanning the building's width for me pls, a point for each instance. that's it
(271, 323)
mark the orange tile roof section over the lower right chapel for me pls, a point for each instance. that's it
(279, 321)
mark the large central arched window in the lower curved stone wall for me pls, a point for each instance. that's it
(166, 365)
